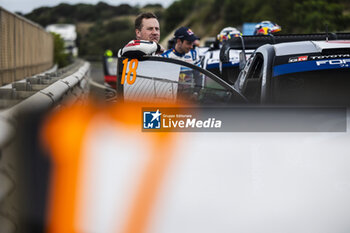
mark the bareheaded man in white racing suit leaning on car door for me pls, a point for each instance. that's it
(147, 32)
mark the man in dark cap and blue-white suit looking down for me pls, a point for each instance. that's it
(183, 49)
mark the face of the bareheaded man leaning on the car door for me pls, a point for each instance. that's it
(149, 30)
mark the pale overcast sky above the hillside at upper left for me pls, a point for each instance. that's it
(26, 6)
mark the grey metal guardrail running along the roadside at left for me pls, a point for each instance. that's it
(55, 87)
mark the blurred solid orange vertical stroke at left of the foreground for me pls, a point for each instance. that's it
(64, 134)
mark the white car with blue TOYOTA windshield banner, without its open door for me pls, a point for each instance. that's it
(298, 73)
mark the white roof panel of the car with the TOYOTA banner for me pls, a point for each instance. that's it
(304, 47)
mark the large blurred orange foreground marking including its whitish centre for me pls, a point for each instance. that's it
(68, 135)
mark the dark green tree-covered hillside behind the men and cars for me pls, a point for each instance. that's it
(103, 26)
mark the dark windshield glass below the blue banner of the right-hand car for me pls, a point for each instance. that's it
(321, 87)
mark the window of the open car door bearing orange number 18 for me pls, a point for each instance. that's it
(169, 80)
